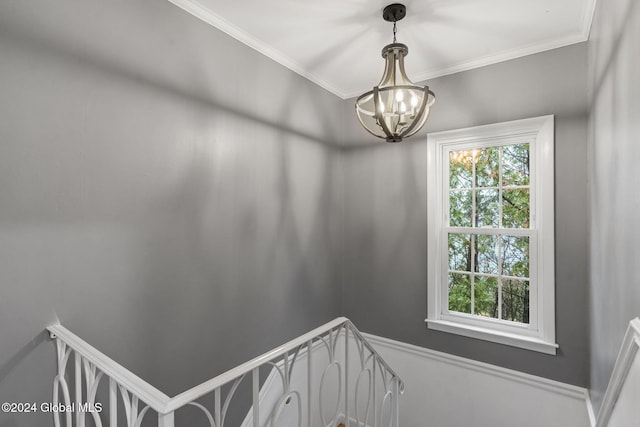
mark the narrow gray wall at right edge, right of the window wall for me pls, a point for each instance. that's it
(614, 129)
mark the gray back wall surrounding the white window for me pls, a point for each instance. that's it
(384, 289)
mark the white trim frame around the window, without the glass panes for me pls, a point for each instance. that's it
(540, 335)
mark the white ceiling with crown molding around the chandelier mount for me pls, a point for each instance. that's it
(337, 43)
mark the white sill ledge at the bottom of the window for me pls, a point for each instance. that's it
(529, 343)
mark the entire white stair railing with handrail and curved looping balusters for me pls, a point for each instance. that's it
(367, 388)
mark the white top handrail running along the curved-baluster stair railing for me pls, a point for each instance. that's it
(163, 404)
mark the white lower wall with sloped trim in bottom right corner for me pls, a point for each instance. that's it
(615, 410)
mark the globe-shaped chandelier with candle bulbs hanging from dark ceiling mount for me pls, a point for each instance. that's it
(396, 108)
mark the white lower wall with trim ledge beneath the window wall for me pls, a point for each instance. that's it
(482, 391)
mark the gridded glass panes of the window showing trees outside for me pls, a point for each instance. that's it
(495, 280)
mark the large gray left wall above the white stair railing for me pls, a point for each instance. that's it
(165, 193)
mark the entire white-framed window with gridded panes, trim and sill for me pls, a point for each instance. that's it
(491, 230)
